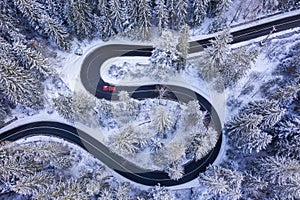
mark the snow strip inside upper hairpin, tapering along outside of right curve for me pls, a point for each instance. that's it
(189, 78)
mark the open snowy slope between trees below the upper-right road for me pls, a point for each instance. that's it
(261, 70)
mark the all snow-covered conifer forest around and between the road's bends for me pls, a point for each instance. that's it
(262, 82)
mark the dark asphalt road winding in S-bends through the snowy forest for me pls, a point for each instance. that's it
(91, 80)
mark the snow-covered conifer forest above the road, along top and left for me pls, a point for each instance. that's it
(29, 26)
